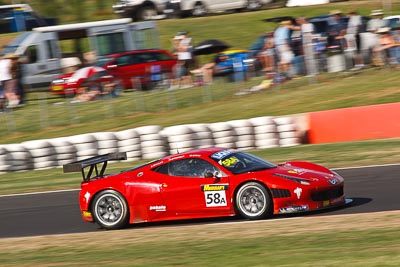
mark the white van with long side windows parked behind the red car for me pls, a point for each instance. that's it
(45, 51)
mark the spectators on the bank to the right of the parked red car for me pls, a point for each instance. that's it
(295, 49)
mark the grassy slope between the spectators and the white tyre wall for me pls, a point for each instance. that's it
(45, 117)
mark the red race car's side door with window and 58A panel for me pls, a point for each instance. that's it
(189, 190)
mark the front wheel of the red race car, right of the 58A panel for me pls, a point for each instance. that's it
(253, 201)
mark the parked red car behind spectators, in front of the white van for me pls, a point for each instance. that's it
(137, 68)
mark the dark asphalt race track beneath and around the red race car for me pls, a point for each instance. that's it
(372, 189)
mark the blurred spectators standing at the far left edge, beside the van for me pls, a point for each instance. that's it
(11, 89)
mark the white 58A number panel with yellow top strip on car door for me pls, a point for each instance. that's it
(214, 195)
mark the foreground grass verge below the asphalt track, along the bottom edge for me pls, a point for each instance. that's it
(345, 240)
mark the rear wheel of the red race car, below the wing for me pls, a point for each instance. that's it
(110, 210)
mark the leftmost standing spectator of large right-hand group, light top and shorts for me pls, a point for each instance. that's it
(282, 46)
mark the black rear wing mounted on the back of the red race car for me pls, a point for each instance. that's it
(97, 165)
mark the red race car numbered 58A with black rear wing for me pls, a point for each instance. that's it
(202, 183)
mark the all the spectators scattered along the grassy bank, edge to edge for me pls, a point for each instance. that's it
(293, 49)
